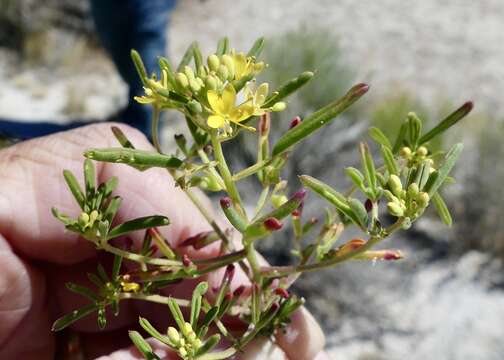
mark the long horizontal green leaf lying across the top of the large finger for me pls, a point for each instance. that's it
(133, 157)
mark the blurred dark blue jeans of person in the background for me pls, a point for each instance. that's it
(122, 25)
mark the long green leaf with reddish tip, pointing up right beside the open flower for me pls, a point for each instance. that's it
(318, 119)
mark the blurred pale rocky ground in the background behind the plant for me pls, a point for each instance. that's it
(433, 305)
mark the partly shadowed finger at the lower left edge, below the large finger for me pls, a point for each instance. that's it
(24, 316)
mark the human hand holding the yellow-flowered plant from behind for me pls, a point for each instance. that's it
(37, 257)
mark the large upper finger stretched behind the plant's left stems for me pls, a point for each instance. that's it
(31, 182)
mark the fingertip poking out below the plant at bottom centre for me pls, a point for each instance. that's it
(303, 339)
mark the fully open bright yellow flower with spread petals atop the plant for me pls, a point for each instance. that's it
(224, 110)
